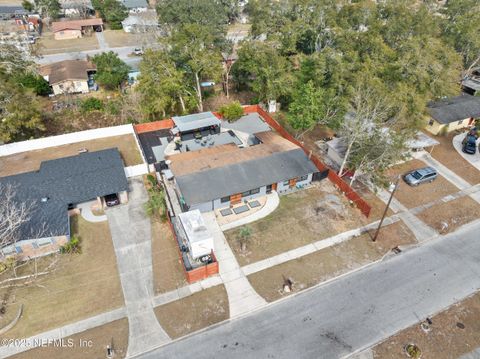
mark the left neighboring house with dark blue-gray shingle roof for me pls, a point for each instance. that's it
(57, 187)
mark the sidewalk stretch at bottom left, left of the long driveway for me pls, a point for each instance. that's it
(65, 331)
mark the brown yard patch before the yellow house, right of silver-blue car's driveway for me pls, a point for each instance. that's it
(448, 156)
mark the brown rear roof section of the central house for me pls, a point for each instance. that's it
(224, 155)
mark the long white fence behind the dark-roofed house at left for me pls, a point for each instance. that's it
(37, 144)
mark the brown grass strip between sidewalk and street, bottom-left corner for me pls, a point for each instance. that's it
(98, 338)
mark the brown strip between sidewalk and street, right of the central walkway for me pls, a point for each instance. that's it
(330, 262)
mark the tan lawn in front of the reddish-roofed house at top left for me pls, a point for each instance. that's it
(48, 45)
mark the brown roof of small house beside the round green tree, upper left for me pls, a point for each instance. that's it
(67, 70)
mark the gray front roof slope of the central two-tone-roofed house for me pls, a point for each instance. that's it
(205, 186)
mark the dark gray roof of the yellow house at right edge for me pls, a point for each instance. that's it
(455, 109)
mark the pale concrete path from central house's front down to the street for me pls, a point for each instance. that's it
(242, 298)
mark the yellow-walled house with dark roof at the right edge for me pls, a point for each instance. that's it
(452, 114)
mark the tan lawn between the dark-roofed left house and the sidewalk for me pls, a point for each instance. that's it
(82, 285)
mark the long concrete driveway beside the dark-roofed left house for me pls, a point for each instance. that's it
(131, 234)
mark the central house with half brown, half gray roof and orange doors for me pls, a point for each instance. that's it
(224, 175)
